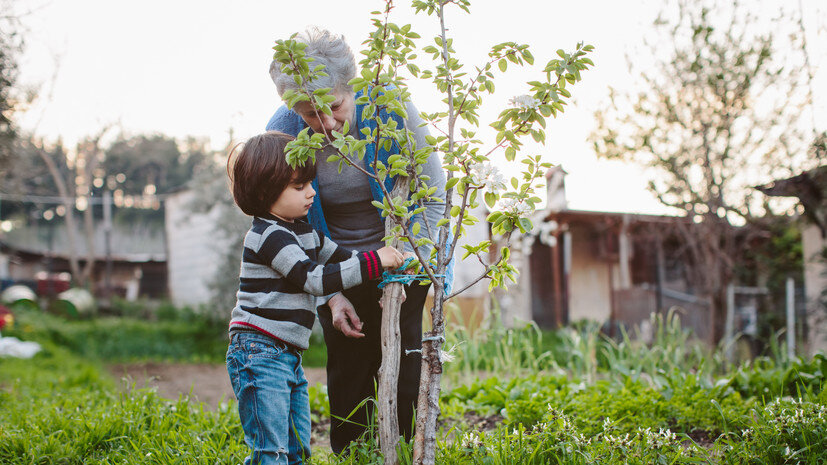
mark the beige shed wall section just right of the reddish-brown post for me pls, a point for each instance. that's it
(589, 284)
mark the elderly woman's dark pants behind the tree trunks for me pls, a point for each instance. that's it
(353, 364)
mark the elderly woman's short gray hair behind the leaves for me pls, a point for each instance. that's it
(326, 49)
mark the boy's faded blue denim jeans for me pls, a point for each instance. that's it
(273, 404)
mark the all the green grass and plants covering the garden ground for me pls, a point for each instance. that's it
(511, 396)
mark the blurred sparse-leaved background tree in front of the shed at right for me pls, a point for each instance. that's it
(717, 112)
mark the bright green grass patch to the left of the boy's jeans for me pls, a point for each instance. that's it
(58, 409)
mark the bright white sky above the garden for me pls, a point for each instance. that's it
(198, 68)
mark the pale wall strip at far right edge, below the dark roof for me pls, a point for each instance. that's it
(815, 282)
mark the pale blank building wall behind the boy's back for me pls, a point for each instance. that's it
(194, 250)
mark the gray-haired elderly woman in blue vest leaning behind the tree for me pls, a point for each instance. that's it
(343, 211)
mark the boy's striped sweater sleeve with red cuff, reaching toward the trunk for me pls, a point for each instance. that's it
(280, 250)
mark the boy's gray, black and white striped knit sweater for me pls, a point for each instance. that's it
(287, 270)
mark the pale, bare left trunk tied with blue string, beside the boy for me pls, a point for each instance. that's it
(386, 397)
